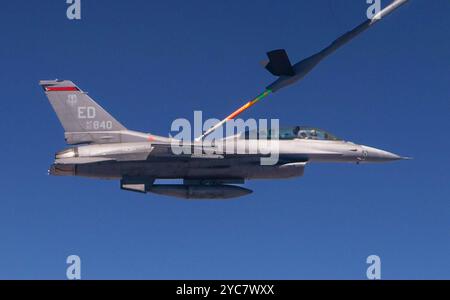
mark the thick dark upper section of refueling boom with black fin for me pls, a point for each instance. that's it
(280, 65)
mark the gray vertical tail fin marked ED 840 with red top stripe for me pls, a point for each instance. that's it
(84, 121)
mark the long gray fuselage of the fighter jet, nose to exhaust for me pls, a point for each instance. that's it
(229, 158)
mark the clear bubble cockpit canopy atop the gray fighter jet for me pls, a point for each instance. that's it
(291, 133)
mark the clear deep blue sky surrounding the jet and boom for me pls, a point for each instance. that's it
(150, 62)
